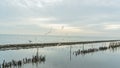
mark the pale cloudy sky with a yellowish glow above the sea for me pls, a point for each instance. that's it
(60, 17)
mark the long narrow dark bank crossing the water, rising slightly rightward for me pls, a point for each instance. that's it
(41, 45)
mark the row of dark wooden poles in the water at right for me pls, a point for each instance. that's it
(112, 45)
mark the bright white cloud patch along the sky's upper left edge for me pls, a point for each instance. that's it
(31, 3)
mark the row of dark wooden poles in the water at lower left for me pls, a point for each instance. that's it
(14, 63)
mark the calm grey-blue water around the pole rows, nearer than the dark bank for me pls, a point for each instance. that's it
(63, 57)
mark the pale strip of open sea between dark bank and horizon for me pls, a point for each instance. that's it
(20, 39)
